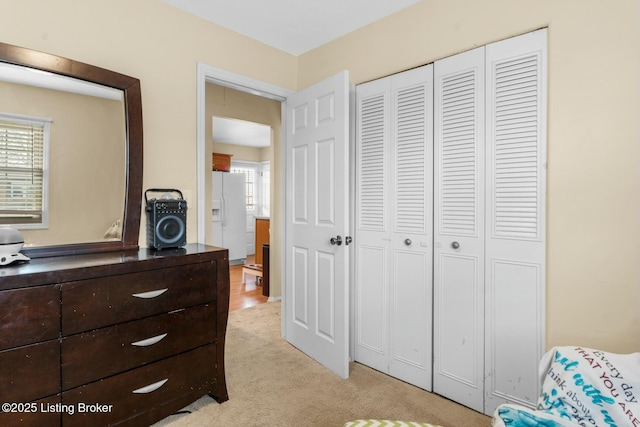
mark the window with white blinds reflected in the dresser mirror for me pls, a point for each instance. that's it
(22, 177)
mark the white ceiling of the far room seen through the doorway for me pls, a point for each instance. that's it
(240, 132)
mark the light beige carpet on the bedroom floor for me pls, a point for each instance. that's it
(271, 383)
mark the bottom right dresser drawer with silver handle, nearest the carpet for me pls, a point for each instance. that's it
(130, 394)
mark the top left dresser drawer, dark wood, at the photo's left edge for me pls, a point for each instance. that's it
(29, 315)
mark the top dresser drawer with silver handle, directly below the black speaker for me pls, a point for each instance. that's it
(92, 304)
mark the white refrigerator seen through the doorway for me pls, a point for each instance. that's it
(230, 215)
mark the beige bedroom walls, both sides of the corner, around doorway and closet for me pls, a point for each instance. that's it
(593, 211)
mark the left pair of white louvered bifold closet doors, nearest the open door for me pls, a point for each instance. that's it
(393, 330)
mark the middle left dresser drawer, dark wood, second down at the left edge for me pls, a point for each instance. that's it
(31, 372)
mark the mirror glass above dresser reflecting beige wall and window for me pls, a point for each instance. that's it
(81, 172)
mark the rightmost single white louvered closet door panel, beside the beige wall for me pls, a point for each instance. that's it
(515, 248)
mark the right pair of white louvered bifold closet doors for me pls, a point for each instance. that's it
(489, 222)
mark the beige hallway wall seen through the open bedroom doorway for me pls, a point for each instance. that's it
(225, 102)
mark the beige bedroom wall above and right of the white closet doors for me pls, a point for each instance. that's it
(593, 210)
